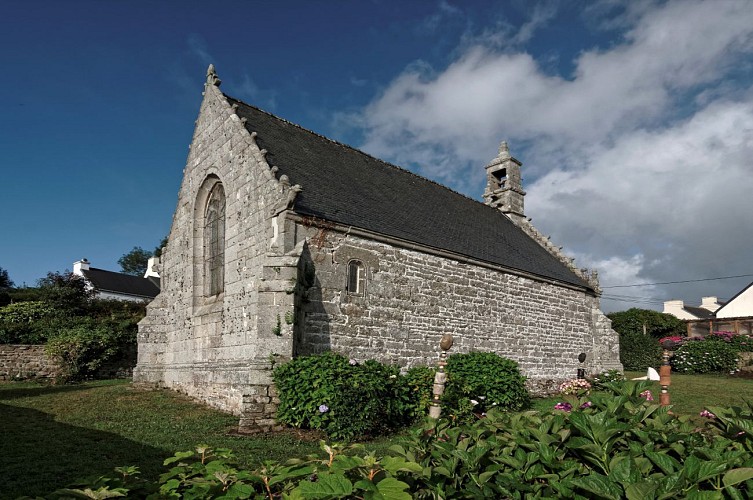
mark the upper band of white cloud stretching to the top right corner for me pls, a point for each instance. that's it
(485, 94)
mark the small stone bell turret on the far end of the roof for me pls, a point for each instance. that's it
(504, 184)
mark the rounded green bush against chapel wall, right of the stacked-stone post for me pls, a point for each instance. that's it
(479, 381)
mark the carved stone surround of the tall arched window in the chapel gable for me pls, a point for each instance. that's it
(208, 297)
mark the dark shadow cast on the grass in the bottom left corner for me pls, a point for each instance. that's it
(40, 455)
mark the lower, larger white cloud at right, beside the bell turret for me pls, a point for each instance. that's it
(680, 195)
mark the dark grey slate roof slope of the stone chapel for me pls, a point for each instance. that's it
(344, 185)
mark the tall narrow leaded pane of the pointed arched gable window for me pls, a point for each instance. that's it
(214, 241)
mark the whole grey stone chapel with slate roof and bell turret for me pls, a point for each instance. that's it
(286, 243)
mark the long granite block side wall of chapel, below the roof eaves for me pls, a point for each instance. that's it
(412, 298)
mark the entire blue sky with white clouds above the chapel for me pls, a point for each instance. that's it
(634, 120)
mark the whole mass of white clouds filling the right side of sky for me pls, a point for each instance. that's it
(617, 173)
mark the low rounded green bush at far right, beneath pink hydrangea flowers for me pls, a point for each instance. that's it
(705, 356)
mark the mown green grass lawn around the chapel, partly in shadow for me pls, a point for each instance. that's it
(54, 435)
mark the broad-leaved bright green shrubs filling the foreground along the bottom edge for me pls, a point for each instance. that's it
(618, 446)
